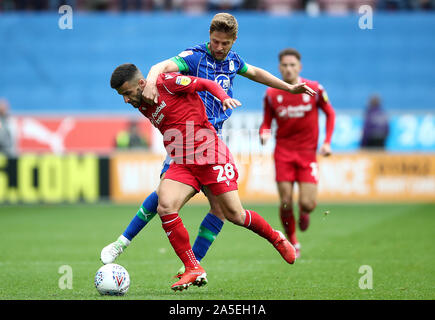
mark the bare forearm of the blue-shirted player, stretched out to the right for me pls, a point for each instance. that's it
(268, 79)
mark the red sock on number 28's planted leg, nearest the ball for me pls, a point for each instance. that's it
(179, 238)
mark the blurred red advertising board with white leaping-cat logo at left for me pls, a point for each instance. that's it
(73, 134)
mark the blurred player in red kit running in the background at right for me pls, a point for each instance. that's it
(297, 134)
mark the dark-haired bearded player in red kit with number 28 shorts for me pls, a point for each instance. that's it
(200, 159)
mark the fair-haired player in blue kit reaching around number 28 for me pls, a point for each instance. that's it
(216, 61)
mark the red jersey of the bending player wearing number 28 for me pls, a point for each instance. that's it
(181, 117)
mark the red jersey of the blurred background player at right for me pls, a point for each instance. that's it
(297, 117)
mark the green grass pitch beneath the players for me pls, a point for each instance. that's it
(396, 241)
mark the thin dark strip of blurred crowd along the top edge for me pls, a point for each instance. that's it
(200, 6)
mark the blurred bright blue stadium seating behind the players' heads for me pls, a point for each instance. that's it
(46, 69)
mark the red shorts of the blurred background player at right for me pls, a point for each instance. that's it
(300, 166)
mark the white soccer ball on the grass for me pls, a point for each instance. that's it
(112, 279)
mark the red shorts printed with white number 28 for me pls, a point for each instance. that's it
(219, 178)
